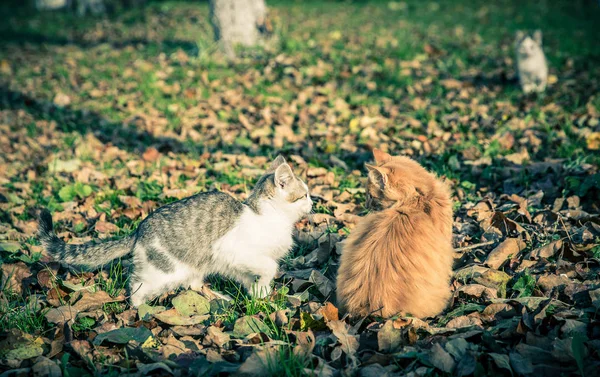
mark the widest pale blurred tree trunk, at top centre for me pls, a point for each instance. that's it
(237, 22)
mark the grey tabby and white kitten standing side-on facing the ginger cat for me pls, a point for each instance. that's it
(181, 243)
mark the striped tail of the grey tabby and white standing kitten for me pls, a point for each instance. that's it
(88, 255)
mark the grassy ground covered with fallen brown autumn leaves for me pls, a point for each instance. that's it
(104, 120)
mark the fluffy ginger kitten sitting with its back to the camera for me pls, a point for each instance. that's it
(398, 259)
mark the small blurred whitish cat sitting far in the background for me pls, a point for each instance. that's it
(531, 62)
